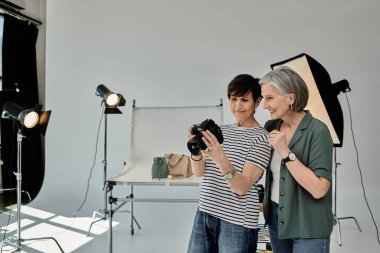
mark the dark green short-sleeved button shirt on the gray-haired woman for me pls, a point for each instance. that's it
(300, 215)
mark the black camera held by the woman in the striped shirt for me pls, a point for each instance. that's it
(196, 144)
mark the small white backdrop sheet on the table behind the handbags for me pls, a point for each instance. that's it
(156, 131)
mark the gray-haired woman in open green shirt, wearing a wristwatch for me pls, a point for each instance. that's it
(298, 196)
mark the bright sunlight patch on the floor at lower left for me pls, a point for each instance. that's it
(44, 231)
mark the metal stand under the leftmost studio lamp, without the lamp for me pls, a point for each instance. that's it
(17, 241)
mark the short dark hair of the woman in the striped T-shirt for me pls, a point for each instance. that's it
(242, 84)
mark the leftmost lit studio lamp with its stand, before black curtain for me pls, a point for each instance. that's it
(33, 118)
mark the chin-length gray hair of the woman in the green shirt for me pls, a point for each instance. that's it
(287, 81)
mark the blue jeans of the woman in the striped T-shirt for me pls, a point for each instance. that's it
(213, 235)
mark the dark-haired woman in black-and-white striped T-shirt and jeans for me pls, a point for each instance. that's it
(227, 217)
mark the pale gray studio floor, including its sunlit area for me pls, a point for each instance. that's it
(168, 231)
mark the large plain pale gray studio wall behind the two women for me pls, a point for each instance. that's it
(172, 52)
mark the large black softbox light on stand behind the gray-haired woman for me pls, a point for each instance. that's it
(323, 105)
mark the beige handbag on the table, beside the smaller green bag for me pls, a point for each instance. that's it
(179, 165)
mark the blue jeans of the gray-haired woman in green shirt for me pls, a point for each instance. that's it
(297, 245)
